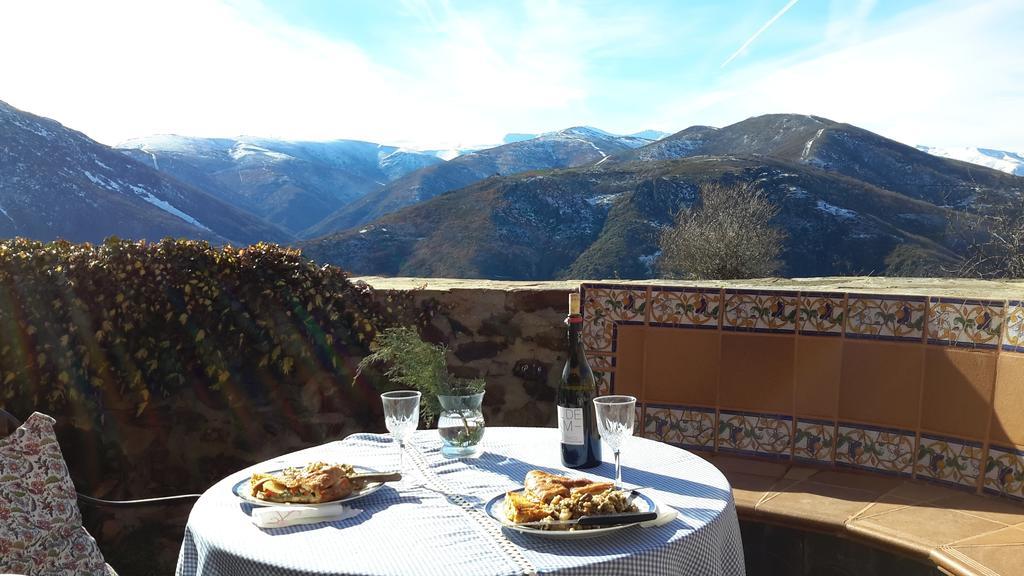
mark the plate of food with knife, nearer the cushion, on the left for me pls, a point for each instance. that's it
(317, 484)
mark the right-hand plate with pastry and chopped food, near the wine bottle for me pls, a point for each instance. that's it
(558, 507)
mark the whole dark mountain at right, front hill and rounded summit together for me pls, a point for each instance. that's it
(847, 199)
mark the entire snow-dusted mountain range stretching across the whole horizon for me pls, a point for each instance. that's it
(575, 203)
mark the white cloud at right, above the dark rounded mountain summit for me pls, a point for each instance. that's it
(948, 74)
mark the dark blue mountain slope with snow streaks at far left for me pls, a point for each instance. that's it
(56, 183)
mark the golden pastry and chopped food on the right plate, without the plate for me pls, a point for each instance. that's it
(551, 499)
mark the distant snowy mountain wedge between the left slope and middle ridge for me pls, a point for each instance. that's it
(290, 184)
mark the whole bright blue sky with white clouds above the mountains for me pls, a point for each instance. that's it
(445, 74)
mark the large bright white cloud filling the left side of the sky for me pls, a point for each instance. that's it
(120, 69)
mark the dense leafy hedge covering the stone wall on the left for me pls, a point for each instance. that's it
(82, 325)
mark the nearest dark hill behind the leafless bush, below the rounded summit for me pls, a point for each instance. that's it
(604, 222)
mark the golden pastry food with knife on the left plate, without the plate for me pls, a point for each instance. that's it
(318, 482)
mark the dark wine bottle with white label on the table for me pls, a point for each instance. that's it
(581, 442)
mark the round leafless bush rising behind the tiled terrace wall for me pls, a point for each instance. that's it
(728, 236)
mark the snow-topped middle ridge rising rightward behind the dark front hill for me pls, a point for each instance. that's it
(573, 147)
